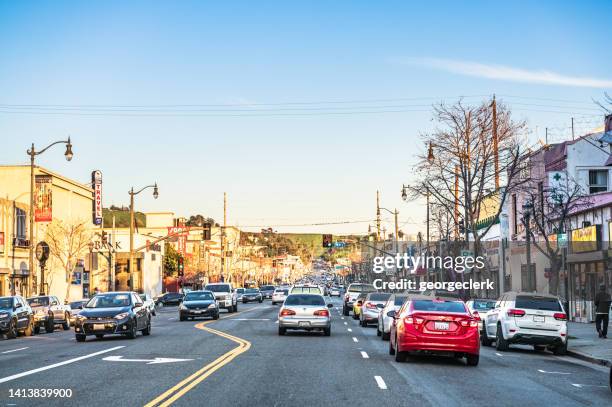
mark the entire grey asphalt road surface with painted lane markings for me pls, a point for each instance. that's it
(241, 361)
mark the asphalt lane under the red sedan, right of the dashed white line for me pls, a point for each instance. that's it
(523, 376)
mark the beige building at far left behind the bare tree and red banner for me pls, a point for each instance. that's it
(68, 204)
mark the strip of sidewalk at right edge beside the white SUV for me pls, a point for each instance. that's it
(585, 344)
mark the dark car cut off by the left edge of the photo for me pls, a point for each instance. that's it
(16, 317)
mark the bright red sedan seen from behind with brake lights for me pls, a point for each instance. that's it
(437, 326)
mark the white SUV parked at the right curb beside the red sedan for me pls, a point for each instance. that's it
(526, 318)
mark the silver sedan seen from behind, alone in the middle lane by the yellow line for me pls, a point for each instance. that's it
(305, 311)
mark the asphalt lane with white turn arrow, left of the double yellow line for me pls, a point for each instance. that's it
(130, 380)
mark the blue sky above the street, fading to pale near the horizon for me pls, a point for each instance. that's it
(282, 163)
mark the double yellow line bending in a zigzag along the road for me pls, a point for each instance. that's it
(177, 391)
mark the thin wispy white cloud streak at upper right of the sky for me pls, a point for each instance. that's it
(508, 73)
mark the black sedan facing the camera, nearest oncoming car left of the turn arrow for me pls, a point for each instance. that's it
(121, 313)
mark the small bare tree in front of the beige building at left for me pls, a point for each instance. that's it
(68, 241)
